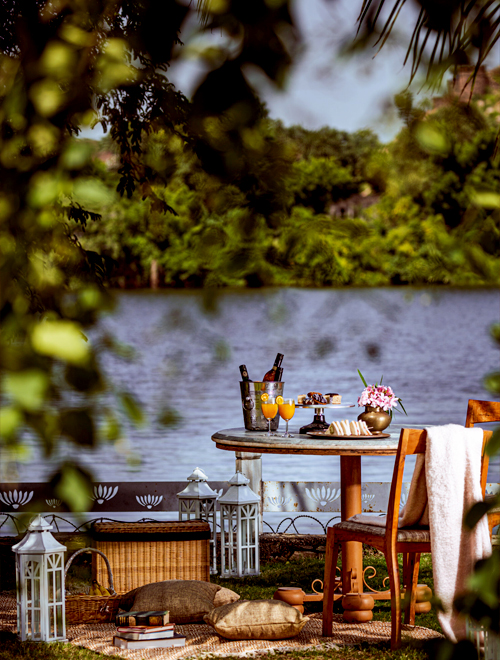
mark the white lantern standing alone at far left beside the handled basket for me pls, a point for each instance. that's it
(40, 585)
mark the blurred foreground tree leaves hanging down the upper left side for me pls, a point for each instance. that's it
(64, 65)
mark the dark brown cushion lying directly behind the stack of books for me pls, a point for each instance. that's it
(186, 600)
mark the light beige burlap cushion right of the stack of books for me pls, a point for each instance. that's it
(256, 619)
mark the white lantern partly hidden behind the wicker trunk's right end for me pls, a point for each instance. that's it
(198, 501)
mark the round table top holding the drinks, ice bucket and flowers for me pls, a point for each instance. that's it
(239, 439)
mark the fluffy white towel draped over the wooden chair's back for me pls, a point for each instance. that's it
(445, 485)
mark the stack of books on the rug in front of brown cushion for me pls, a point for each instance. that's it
(140, 630)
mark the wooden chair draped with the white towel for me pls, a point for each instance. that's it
(410, 542)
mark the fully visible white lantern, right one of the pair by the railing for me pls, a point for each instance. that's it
(239, 511)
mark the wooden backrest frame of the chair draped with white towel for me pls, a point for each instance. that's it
(413, 441)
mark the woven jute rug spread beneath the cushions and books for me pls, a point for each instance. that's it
(202, 640)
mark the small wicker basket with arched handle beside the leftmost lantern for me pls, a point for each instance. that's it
(83, 608)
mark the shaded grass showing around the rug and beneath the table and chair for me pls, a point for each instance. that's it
(298, 572)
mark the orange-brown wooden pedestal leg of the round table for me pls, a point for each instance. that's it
(356, 606)
